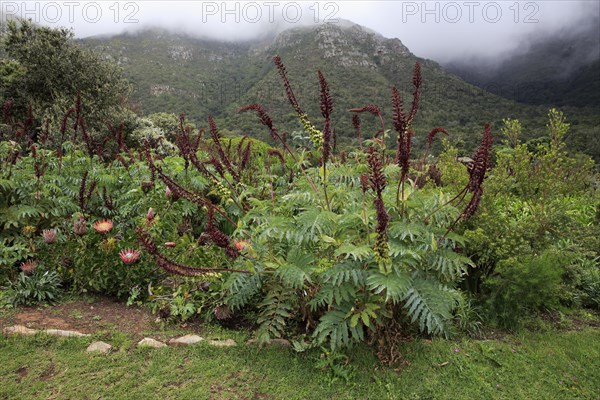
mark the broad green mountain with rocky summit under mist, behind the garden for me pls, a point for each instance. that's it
(178, 73)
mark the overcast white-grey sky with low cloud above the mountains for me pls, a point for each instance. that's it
(440, 30)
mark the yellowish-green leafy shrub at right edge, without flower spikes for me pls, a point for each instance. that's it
(537, 197)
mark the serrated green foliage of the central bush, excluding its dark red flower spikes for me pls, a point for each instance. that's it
(318, 264)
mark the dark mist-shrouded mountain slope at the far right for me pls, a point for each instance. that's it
(561, 68)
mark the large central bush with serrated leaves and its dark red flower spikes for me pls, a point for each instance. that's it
(365, 249)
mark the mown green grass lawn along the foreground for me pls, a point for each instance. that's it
(546, 365)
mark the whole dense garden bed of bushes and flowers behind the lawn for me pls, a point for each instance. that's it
(299, 238)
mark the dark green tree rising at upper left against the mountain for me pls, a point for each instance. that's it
(47, 69)
